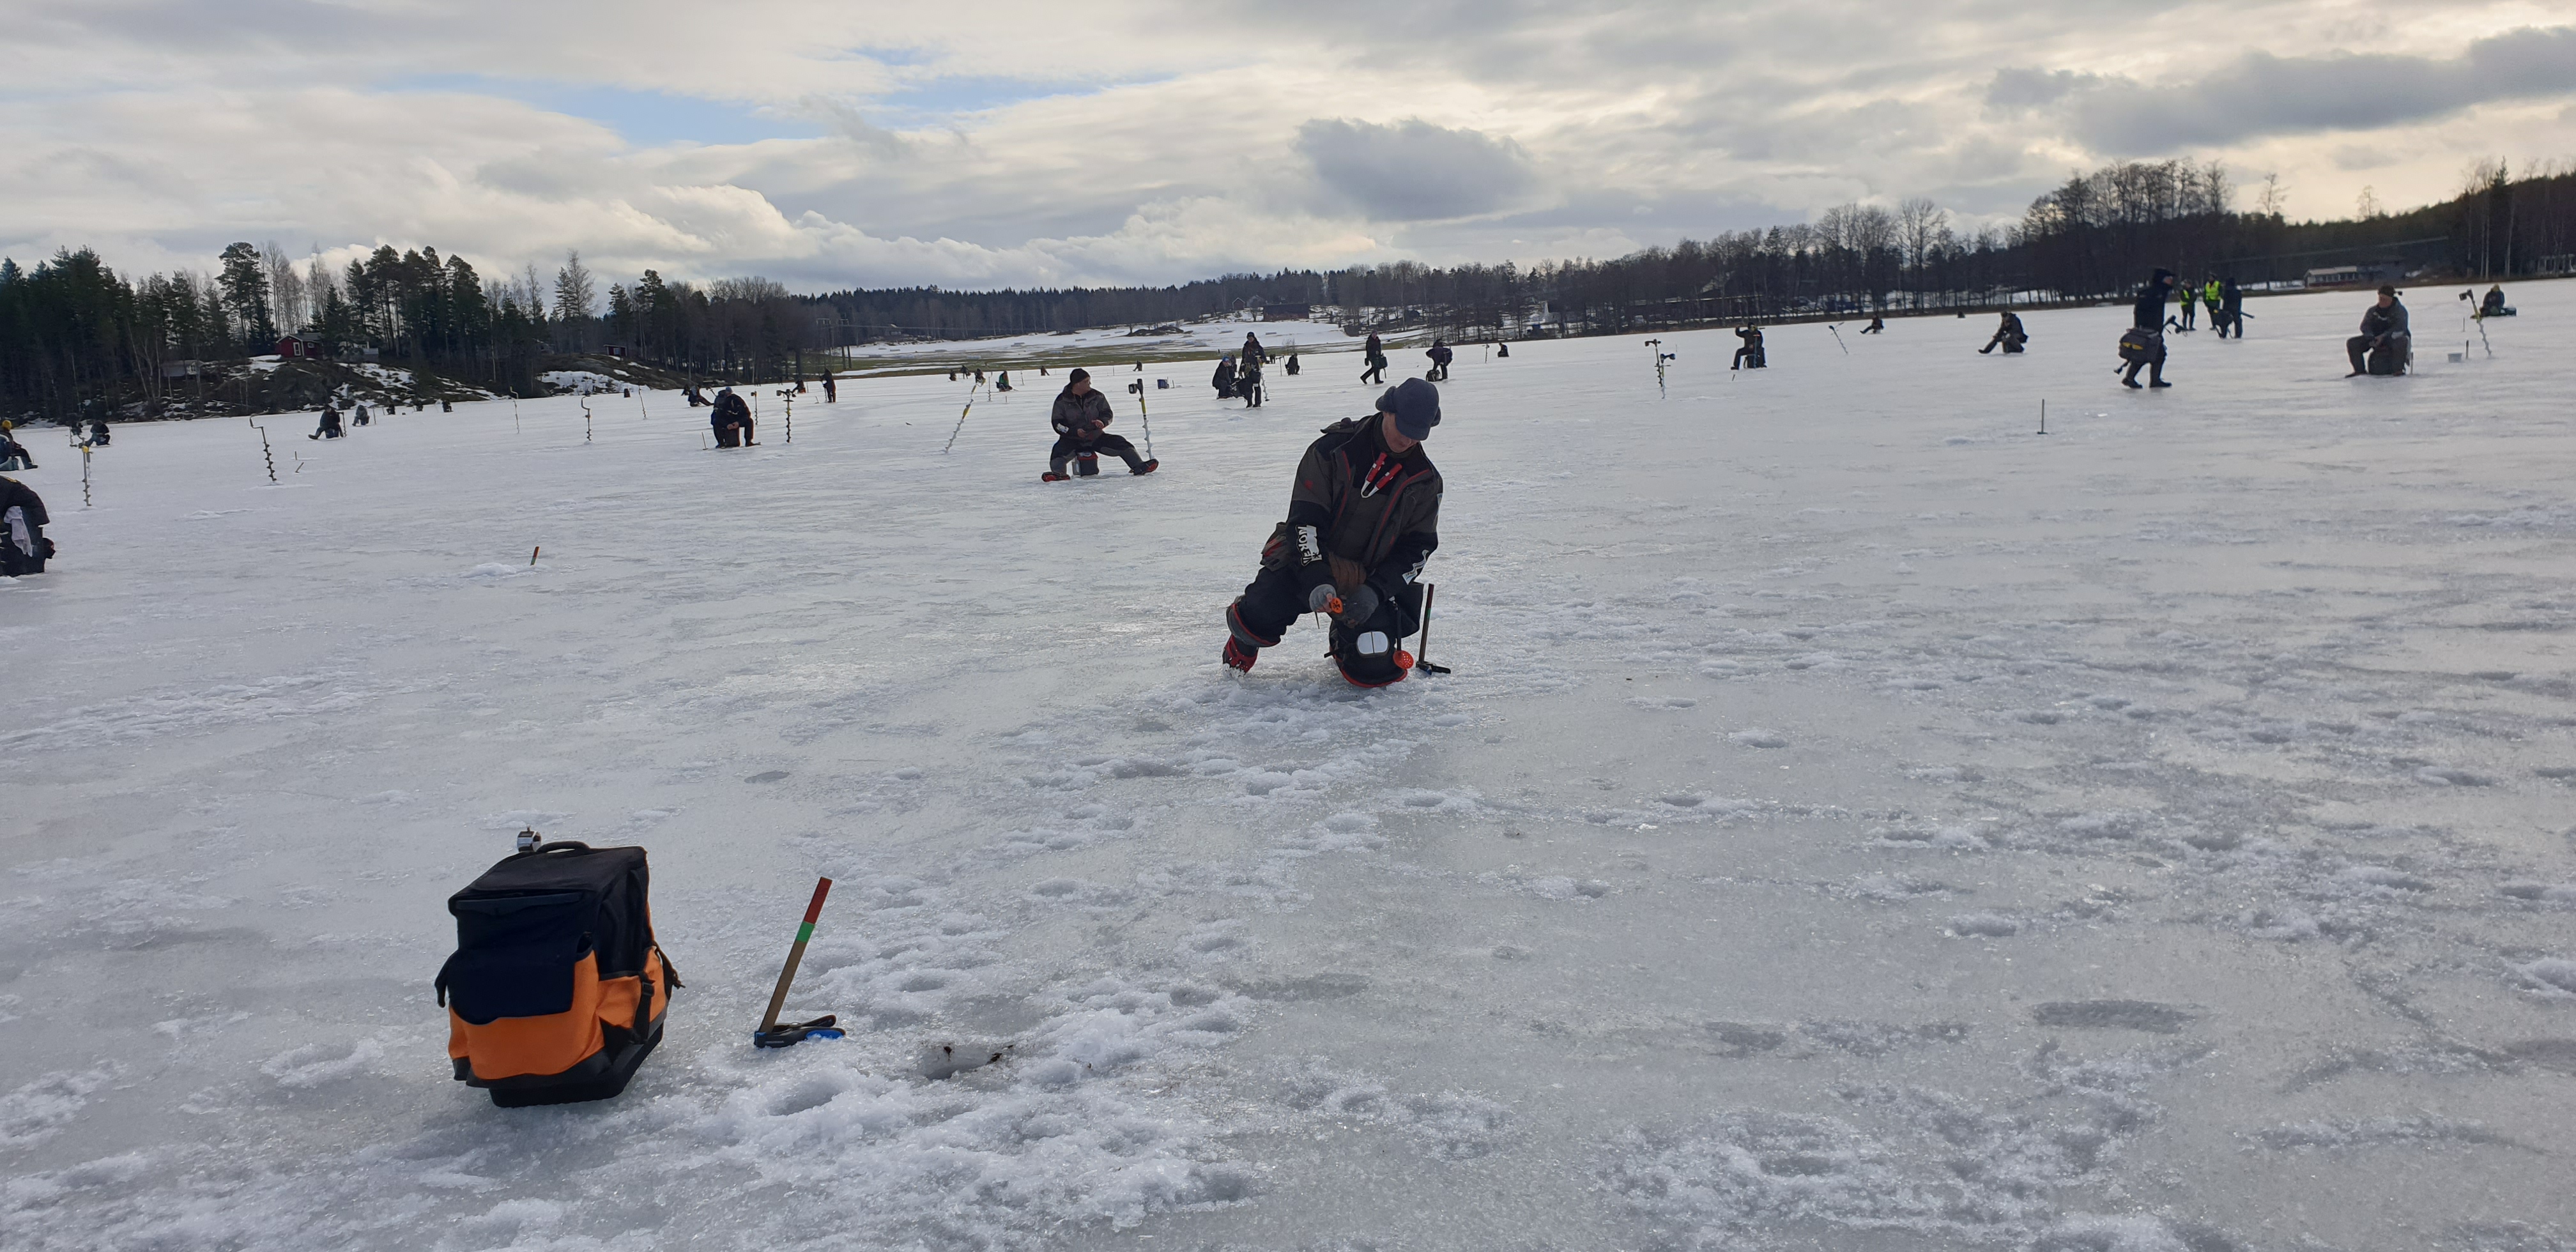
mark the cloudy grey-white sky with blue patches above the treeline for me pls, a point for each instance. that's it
(962, 143)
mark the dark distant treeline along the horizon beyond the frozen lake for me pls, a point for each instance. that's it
(81, 339)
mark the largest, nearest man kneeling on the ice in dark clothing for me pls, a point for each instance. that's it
(1361, 522)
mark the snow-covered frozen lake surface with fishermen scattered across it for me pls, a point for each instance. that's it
(1856, 823)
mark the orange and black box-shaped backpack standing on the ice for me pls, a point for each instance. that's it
(558, 985)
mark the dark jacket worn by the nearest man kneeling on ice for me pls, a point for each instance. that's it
(1367, 506)
